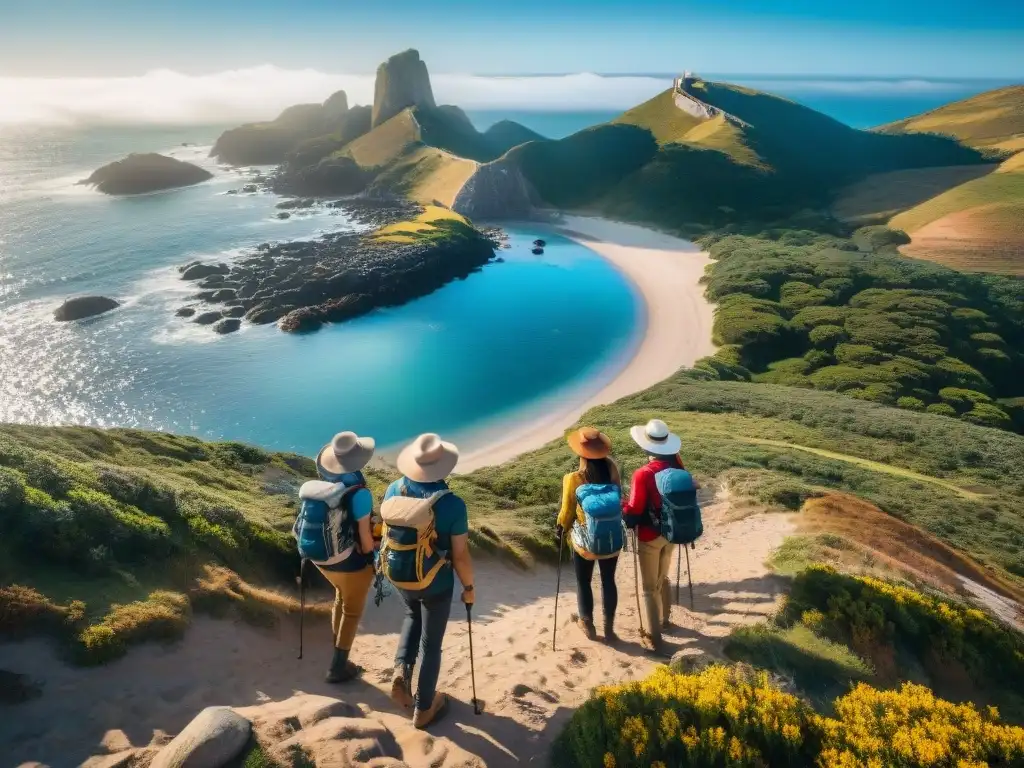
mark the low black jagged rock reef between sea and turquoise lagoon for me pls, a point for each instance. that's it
(302, 286)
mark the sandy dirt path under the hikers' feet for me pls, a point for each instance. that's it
(530, 691)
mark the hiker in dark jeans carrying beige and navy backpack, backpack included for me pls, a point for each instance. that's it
(425, 543)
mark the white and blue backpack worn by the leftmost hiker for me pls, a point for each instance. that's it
(324, 529)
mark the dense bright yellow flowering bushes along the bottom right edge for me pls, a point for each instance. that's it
(738, 718)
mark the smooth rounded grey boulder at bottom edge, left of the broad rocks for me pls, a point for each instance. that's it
(214, 738)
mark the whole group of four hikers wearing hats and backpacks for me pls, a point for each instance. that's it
(418, 542)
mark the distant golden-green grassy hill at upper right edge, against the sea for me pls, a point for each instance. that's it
(994, 120)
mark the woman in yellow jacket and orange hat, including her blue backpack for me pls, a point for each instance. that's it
(591, 515)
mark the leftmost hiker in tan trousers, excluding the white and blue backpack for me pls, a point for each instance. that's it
(342, 462)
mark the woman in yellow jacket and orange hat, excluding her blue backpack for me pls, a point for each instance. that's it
(600, 472)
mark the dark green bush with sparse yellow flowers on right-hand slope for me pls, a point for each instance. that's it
(874, 617)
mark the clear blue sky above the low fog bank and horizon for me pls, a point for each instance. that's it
(937, 38)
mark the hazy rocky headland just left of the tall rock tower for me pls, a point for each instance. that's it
(270, 143)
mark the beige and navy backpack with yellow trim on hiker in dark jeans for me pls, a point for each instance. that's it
(409, 558)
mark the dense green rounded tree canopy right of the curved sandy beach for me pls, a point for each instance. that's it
(852, 316)
